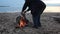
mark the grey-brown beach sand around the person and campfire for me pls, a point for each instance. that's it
(49, 26)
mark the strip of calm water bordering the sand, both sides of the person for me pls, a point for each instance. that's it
(54, 9)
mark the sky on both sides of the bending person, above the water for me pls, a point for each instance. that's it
(17, 3)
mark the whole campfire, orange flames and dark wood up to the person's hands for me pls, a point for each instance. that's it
(22, 21)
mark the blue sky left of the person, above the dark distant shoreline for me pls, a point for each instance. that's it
(12, 3)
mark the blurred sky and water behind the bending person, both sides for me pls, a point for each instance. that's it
(16, 5)
